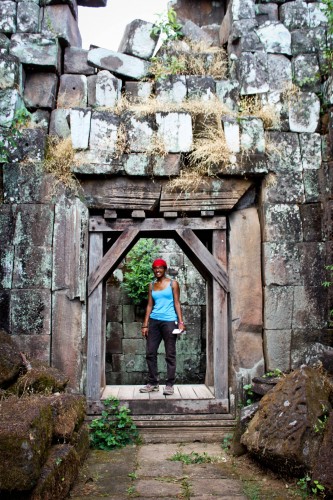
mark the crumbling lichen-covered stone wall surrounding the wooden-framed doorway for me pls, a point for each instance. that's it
(279, 231)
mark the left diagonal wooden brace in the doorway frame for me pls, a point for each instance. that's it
(113, 257)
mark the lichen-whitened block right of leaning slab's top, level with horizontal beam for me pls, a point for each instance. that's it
(282, 222)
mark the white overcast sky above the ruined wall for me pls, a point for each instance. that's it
(104, 26)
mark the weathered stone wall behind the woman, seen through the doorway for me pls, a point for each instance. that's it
(125, 347)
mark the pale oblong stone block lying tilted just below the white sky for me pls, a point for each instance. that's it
(120, 64)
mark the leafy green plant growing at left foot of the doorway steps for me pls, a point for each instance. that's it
(114, 429)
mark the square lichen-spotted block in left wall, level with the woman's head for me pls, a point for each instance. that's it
(32, 267)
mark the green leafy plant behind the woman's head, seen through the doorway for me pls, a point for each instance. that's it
(138, 271)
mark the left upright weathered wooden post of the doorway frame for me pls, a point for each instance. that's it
(95, 347)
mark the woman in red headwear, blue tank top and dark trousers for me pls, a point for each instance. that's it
(162, 313)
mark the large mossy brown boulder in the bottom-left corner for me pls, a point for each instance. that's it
(25, 441)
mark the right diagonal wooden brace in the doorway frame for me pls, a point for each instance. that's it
(202, 258)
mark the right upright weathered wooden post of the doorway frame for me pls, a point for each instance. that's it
(220, 321)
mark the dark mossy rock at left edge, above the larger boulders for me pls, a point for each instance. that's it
(10, 360)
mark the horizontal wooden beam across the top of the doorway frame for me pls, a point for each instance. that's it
(99, 224)
